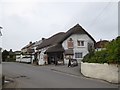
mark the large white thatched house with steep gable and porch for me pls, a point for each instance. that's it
(62, 46)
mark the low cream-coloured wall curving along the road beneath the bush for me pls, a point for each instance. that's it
(108, 72)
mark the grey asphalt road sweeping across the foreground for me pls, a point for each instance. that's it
(29, 76)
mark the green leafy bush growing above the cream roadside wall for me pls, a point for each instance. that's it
(110, 55)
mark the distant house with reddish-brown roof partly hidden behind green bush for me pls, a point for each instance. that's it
(101, 45)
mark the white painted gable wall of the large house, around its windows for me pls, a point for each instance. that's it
(83, 49)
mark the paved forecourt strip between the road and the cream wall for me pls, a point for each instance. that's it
(74, 71)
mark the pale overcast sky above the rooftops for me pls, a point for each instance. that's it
(30, 20)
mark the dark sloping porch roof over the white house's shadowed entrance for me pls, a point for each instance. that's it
(56, 48)
